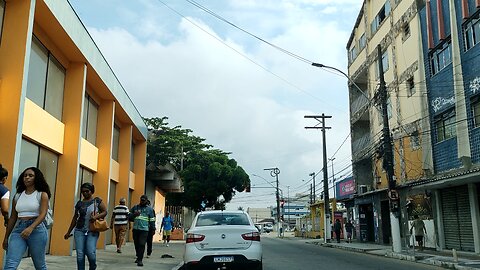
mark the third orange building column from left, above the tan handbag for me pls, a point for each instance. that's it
(101, 179)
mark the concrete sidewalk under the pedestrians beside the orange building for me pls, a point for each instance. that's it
(109, 259)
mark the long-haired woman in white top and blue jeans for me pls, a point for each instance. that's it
(25, 226)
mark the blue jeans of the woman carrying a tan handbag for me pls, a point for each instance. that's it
(86, 244)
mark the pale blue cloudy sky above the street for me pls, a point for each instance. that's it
(241, 94)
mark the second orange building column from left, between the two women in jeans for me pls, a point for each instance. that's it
(68, 162)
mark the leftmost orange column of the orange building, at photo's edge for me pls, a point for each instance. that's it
(14, 54)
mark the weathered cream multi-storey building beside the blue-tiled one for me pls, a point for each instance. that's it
(387, 31)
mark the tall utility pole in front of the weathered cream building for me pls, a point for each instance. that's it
(388, 160)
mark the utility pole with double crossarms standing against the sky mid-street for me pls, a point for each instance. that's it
(326, 199)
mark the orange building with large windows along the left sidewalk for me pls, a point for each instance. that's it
(63, 109)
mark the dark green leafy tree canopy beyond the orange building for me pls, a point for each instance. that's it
(209, 175)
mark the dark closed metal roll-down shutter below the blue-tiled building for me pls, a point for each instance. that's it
(457, 220)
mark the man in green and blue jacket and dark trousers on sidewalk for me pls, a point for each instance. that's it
(143, 217)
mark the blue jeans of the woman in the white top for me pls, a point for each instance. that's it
(36, 243)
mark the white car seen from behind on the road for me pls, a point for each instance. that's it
(224, 240)
